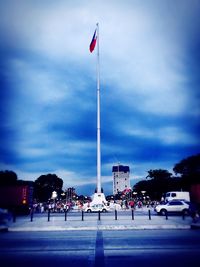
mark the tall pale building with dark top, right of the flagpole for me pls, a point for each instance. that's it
(121, 180)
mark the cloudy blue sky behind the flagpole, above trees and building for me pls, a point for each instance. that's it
(150, 87)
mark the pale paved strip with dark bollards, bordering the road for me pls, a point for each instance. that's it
(123, 221)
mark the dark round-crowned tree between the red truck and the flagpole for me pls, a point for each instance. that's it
(46, 184)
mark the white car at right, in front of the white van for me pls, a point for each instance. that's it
(174, 206)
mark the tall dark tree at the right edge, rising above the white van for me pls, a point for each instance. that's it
(189, 170)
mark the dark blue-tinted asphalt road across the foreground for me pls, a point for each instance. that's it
(101, 248)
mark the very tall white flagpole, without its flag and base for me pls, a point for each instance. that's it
(98, 119)
